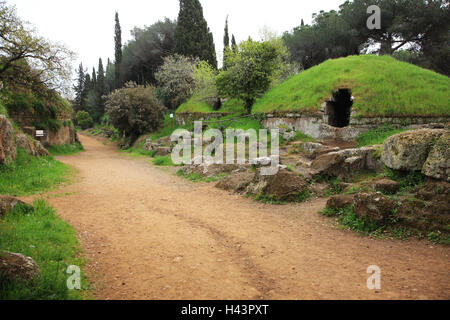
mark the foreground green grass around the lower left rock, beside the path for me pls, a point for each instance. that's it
(51, 242)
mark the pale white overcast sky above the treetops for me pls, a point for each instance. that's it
(87, 26)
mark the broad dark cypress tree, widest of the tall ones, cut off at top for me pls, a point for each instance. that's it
(192, 35)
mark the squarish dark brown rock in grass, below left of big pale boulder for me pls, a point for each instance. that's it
(374, 207)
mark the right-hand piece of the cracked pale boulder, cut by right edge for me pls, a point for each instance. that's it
(437, 164)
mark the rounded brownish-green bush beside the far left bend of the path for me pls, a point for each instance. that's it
(134, 110)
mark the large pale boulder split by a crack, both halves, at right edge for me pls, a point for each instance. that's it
(425, 150)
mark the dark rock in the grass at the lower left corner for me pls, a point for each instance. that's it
(15, 266)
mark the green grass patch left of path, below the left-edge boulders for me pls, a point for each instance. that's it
(29, 175)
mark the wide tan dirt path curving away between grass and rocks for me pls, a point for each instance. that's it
(151, 235)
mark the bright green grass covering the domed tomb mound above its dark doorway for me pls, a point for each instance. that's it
(382, 86)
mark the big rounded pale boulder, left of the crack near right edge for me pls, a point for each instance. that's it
(409, 150)
